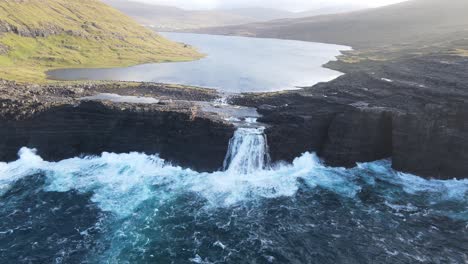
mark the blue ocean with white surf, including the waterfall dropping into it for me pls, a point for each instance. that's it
(137, 208)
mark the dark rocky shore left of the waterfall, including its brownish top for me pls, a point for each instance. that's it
(54, 120)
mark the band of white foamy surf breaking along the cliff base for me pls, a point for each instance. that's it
(119, 183)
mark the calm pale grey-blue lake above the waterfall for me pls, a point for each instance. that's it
(232, 64)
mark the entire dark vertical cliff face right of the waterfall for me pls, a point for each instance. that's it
(430, 144)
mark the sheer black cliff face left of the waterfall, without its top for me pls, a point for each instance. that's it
(91, 128)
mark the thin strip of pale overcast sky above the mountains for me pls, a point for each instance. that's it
(292, 5)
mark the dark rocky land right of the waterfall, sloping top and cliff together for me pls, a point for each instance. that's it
(414, 111)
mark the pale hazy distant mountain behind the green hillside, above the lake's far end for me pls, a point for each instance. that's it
(171, 18)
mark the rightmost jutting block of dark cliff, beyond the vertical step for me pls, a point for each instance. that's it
(434, 144)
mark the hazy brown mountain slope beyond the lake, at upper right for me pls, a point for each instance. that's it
(400, 23)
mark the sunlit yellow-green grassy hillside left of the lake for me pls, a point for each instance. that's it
(38, 35)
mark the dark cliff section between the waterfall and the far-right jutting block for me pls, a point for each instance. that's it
(341, 134)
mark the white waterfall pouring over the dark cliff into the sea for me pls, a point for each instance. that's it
(248, 151)
